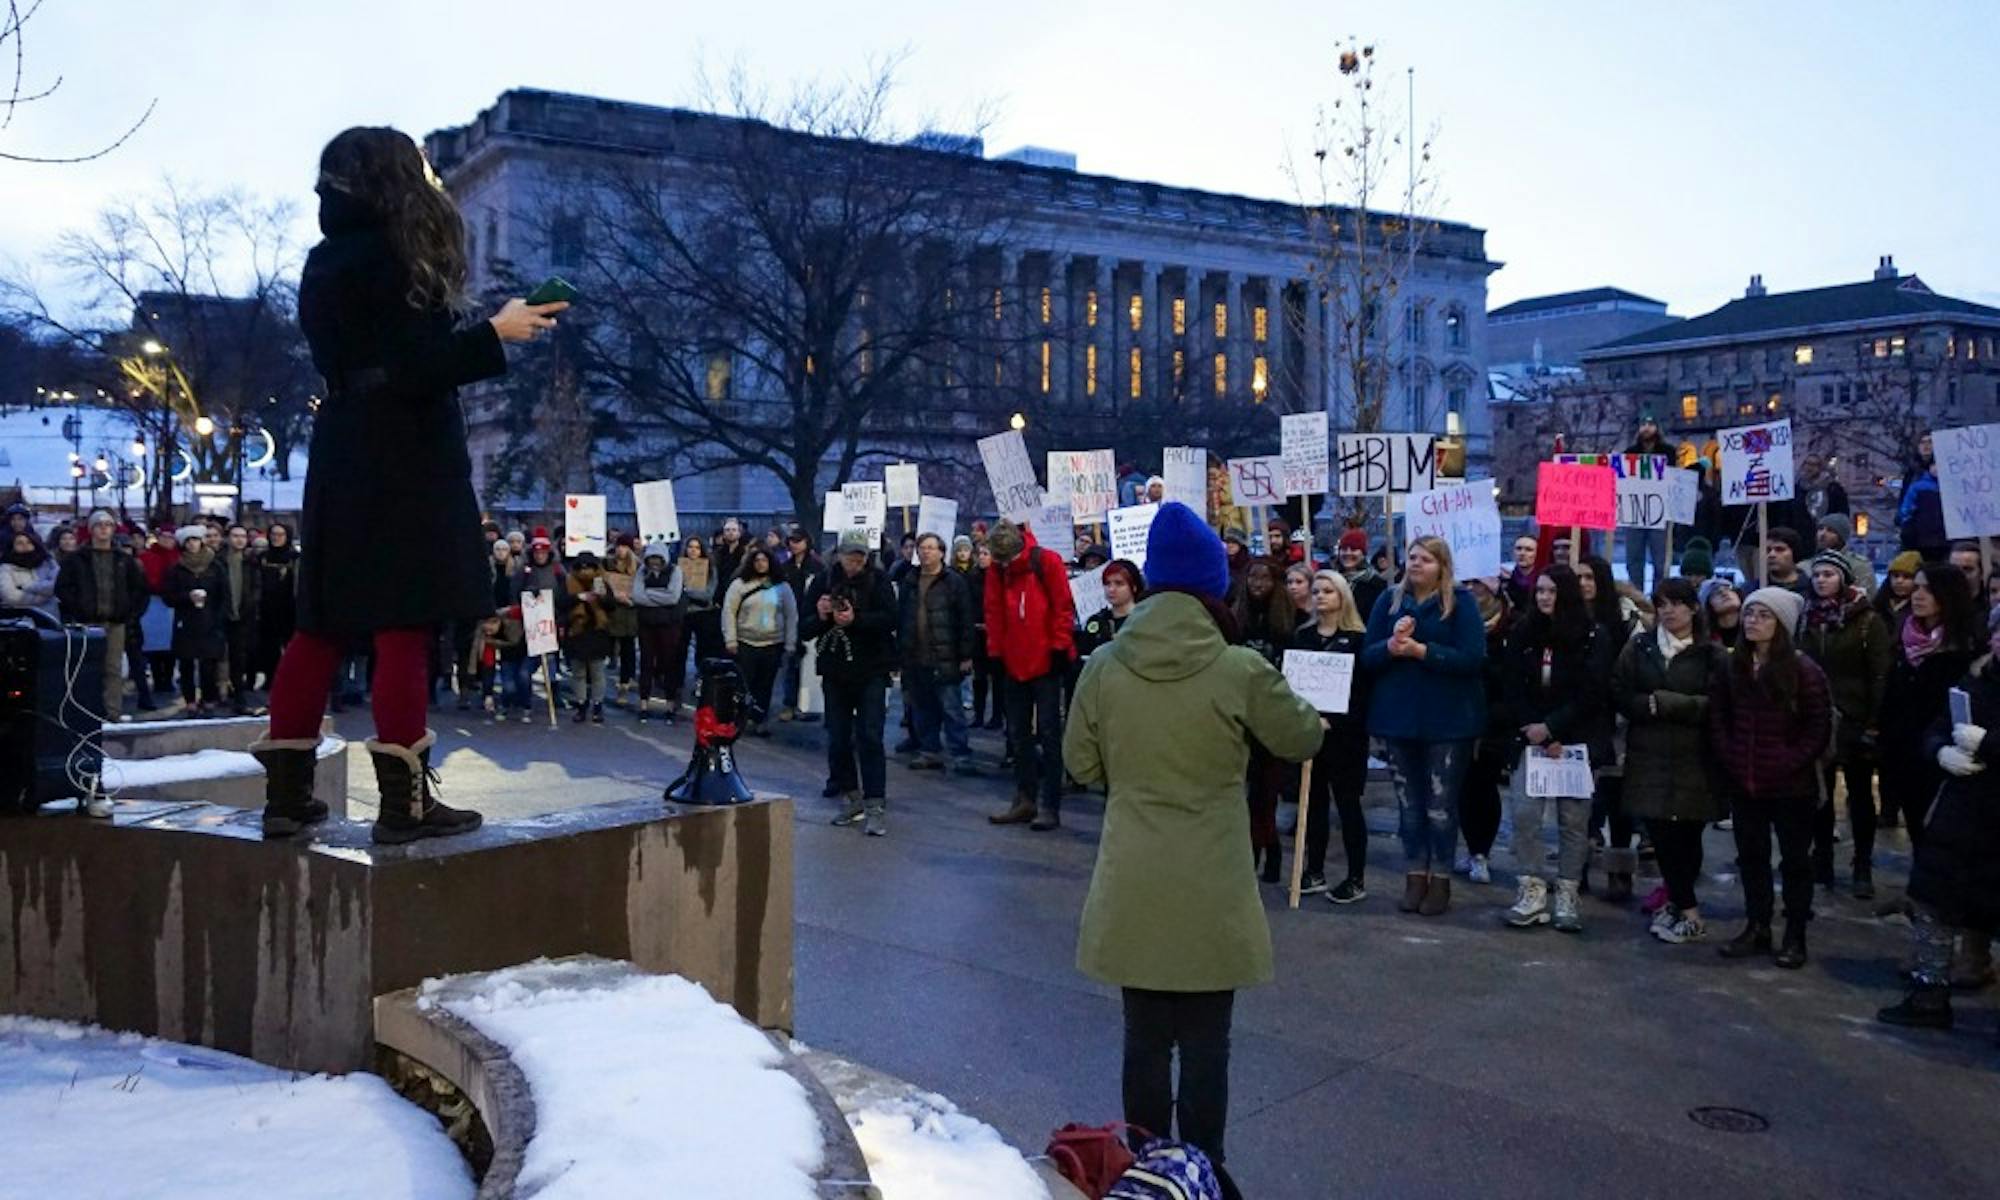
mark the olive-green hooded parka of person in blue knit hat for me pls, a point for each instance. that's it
(1165, 717)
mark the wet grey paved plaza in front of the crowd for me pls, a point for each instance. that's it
(1395, 1057)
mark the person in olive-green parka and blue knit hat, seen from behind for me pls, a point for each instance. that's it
(1165, 719)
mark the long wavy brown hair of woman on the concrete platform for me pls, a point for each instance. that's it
(387, 175)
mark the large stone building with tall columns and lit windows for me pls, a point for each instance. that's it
(1129, 291)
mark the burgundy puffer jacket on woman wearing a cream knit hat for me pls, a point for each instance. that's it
(1767, 751)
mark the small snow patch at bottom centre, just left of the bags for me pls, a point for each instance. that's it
(923, 1149)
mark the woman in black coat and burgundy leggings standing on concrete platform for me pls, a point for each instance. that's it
(391, 539)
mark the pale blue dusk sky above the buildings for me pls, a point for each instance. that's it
(1663, 149)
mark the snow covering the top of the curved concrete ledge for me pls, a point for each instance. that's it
(645, 1087)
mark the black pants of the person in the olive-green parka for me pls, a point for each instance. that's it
(1199, 1027)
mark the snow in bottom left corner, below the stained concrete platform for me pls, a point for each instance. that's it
(89, 1115)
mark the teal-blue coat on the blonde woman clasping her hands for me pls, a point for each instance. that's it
(1439, 697)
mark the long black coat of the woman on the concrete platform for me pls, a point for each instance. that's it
(391, 533)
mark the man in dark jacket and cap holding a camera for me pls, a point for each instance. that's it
(851, 613)
